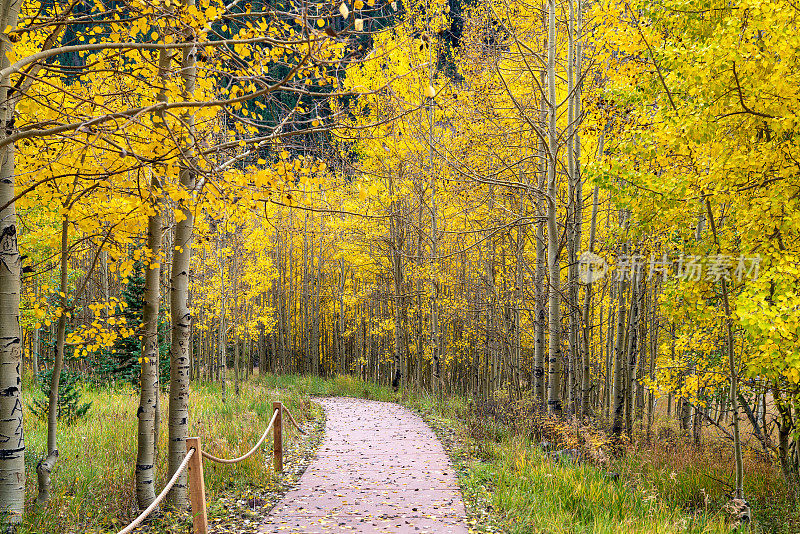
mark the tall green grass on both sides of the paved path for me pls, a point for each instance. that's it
(664, 488)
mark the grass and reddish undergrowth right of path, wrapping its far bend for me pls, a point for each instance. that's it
(537, 474)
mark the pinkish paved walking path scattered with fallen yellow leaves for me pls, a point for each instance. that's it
(380, 468)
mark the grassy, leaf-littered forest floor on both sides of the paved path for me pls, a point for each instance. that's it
(511, 480)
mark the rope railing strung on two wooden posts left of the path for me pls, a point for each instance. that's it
(194, 462)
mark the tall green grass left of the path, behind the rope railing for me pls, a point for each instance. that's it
(93, 483)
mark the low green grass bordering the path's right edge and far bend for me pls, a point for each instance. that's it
(509, 485)
